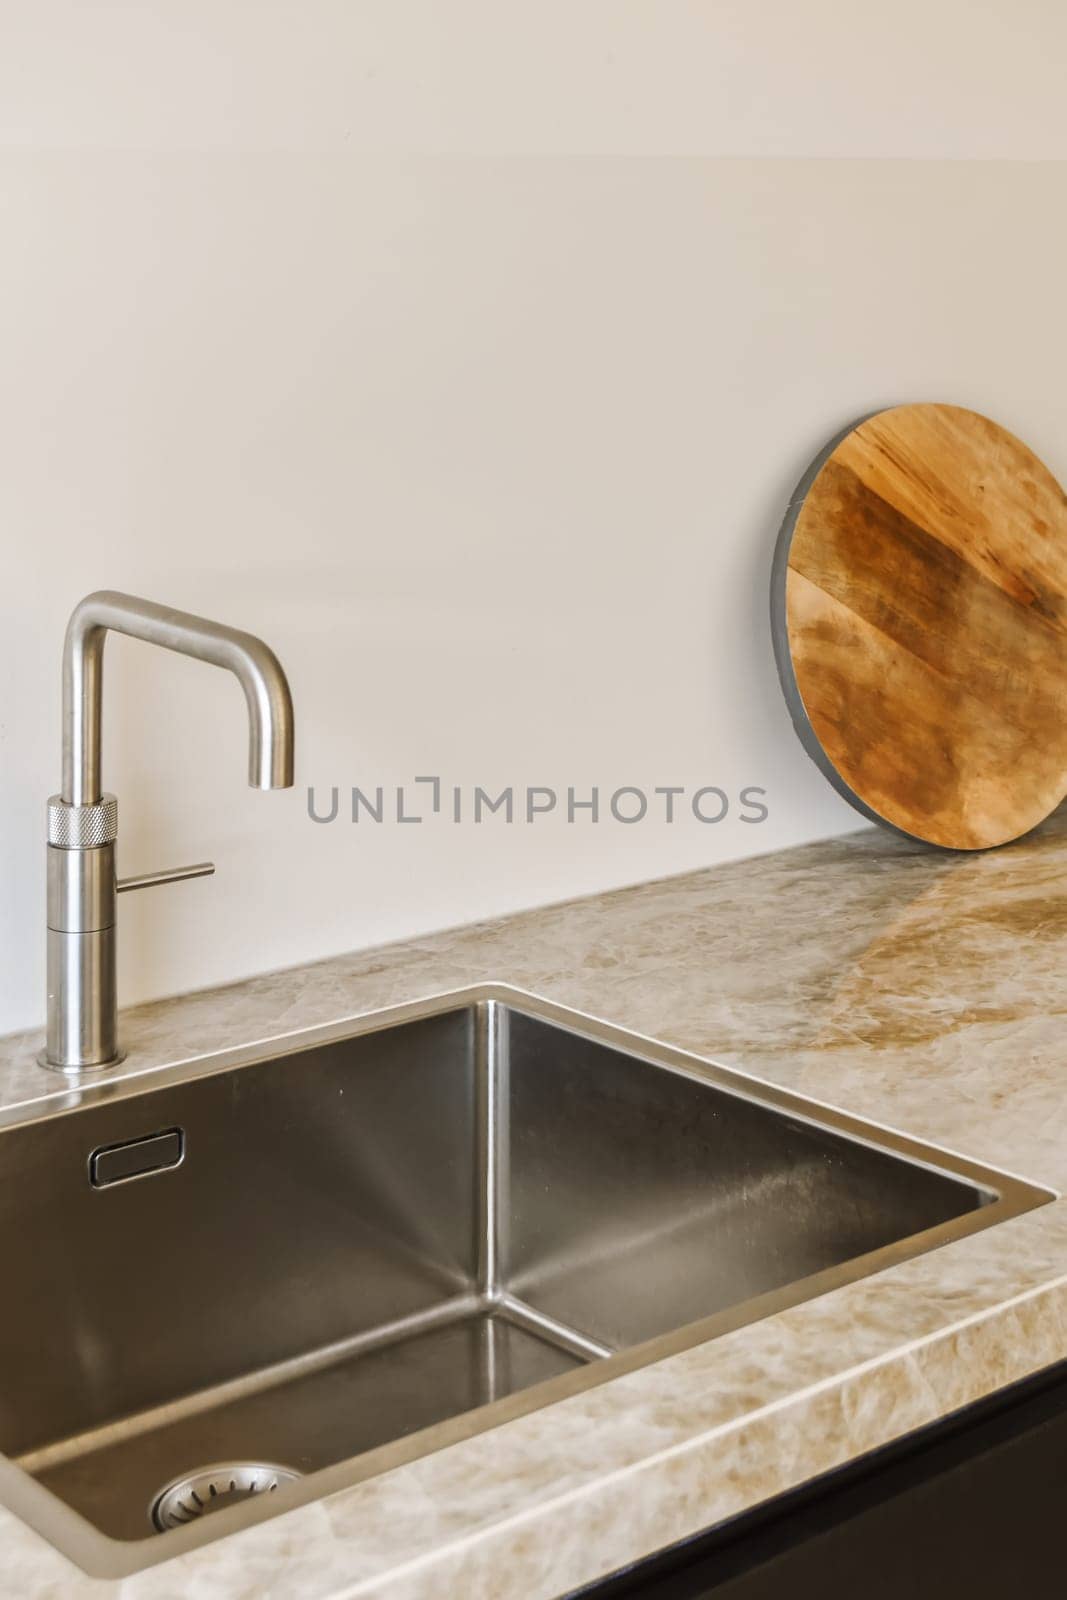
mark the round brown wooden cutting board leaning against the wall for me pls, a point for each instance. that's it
(919, 610)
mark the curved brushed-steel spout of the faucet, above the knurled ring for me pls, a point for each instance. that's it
(255, 666)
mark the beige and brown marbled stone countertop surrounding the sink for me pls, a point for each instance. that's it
(909, 988)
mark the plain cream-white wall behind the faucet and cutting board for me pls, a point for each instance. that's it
(470, 354)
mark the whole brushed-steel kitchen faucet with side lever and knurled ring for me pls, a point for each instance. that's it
(82, 1030)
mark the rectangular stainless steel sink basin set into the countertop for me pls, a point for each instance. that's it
(353, 1247)
